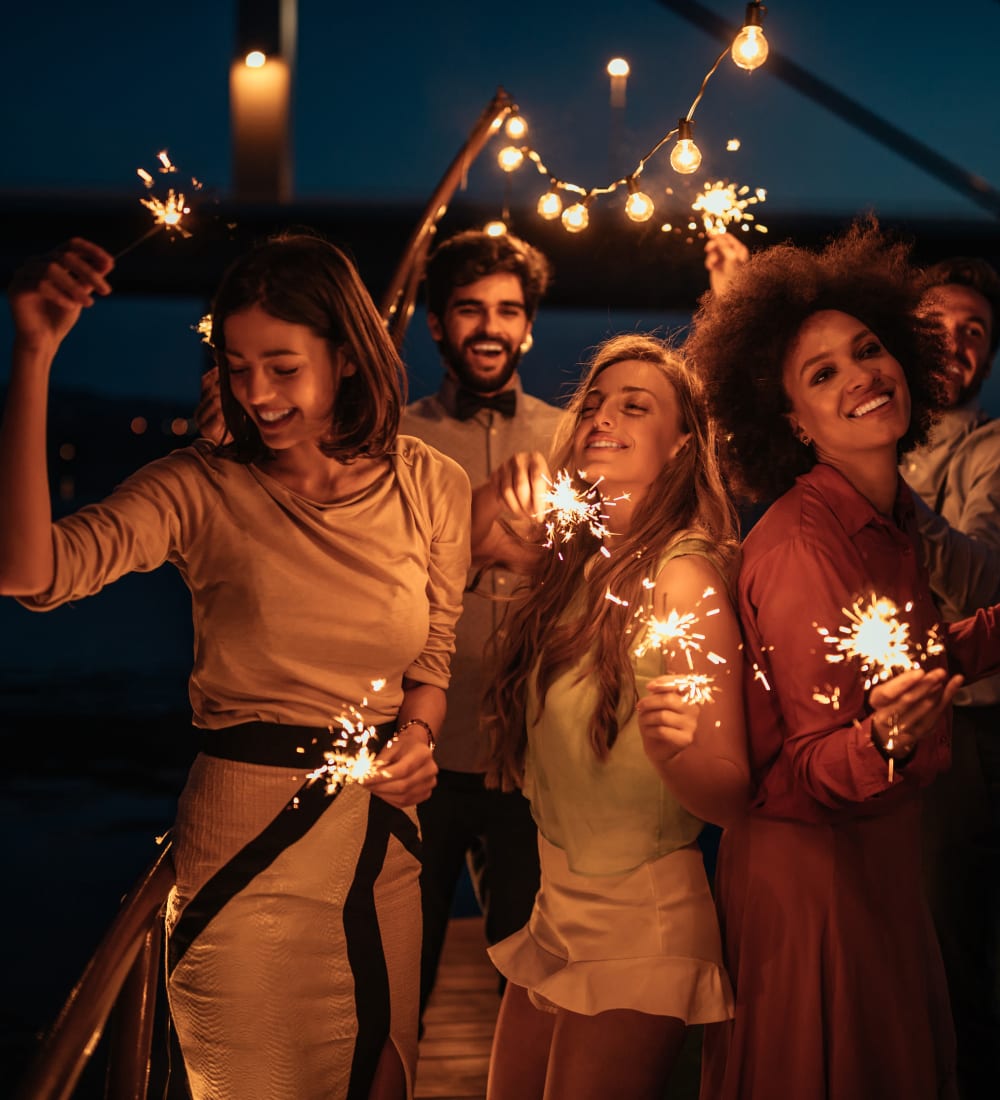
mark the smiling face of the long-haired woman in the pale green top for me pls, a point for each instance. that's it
(630, 428)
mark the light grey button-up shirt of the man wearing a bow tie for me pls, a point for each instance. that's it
(479, 445)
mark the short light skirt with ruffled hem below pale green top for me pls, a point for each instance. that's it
(647, 941)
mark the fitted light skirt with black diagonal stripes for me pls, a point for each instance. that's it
(294, 936)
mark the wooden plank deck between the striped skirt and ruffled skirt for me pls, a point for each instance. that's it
(459, 1021)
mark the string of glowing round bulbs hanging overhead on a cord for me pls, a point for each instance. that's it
(685, 157)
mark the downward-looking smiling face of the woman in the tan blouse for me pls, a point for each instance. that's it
(283, 376)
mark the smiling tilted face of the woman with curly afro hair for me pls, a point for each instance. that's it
(849, 395)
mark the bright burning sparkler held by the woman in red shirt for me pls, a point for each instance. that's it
(880, 641)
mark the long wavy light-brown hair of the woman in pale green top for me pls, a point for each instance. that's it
(566, 614)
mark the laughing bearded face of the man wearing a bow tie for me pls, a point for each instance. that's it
(482, 332)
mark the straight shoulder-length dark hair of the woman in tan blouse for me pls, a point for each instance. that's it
(307, 281)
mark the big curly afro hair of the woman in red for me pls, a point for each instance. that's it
(741, 338)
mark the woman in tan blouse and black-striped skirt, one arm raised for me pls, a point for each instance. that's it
(326, 558)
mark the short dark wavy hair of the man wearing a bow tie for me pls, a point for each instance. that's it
(472, 256)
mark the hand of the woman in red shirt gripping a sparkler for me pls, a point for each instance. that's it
(908, 707)
